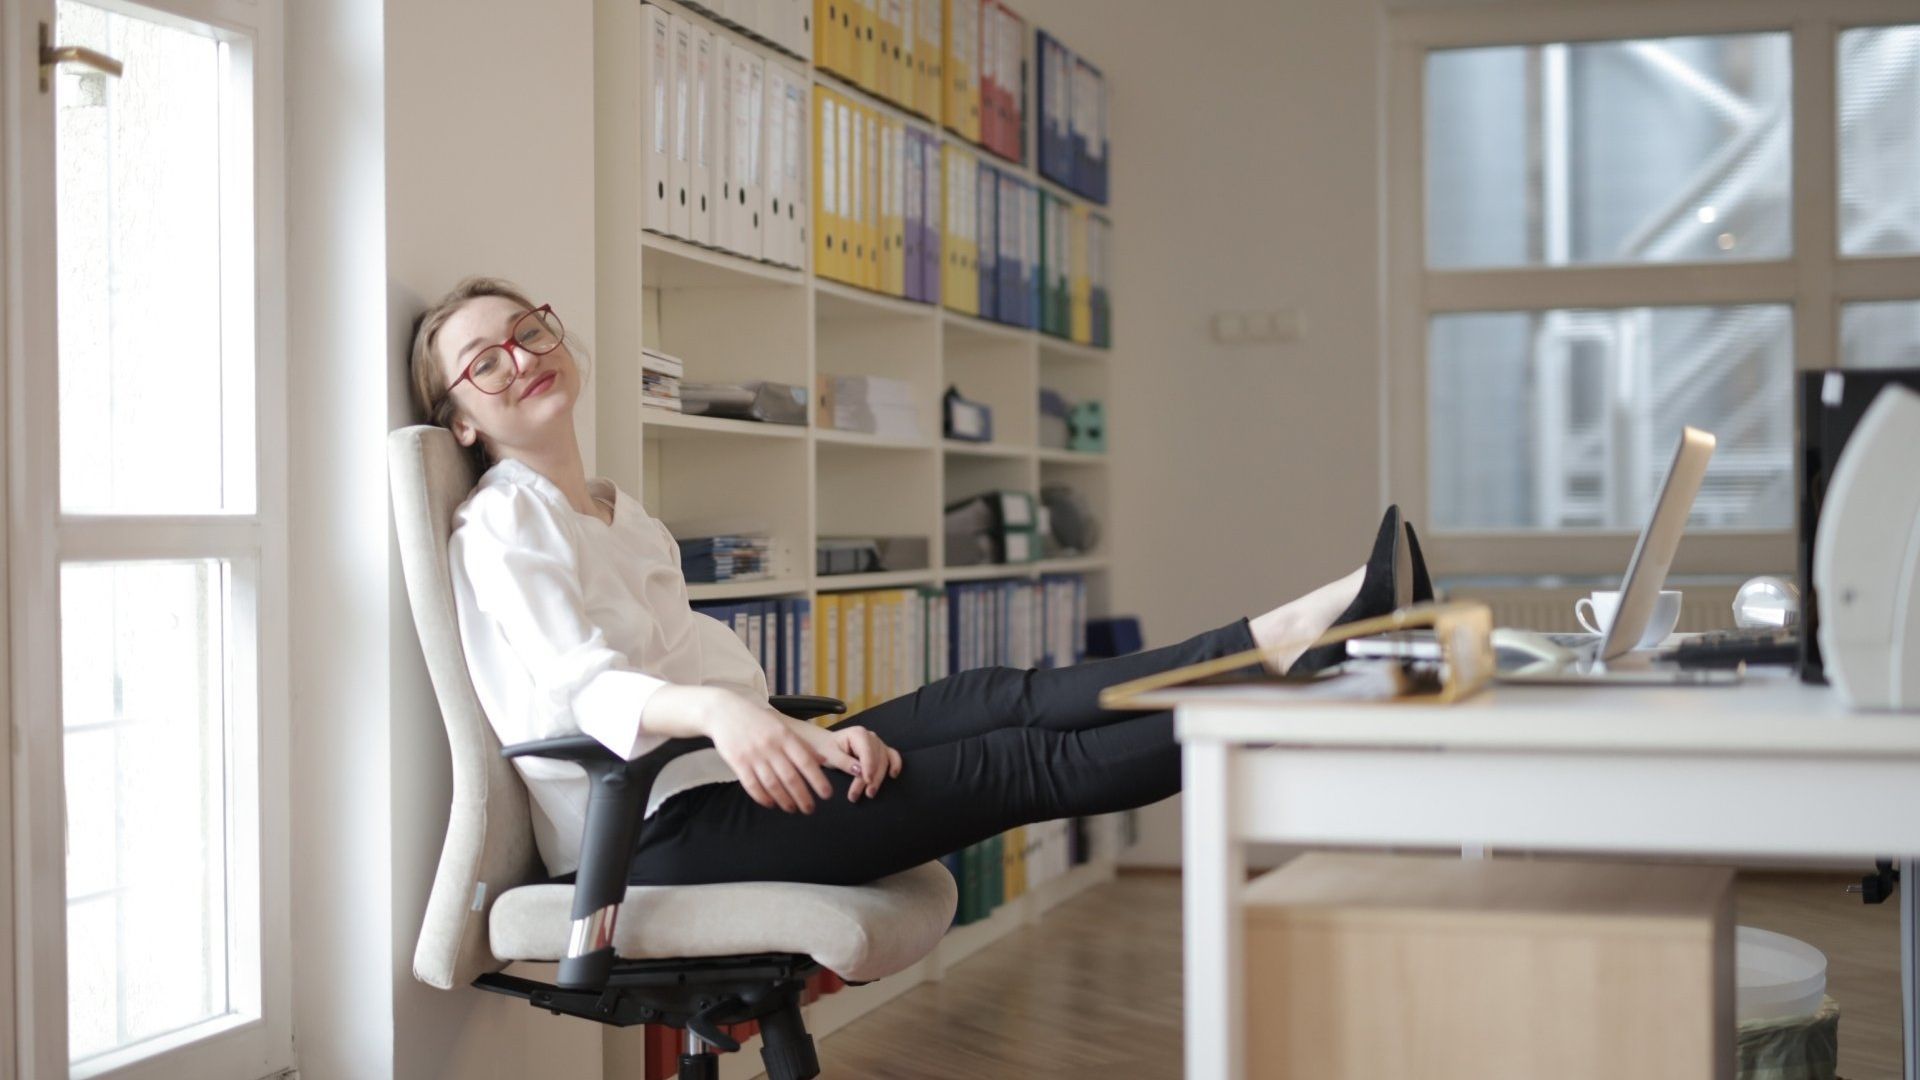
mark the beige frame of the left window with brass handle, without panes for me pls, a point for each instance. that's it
(39, 541)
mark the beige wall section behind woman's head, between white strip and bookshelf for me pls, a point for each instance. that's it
(491, 170)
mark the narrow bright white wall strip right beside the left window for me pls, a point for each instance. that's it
(339, 541)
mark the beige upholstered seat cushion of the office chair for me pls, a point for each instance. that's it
(859, 933)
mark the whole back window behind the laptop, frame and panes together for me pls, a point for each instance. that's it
(1608, 224)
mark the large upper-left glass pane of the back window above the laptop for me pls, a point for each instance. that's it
(1610, 153)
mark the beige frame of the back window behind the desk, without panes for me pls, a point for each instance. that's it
(1813, 282)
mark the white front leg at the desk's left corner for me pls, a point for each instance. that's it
(1214, 881)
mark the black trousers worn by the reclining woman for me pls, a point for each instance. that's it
(982, 752)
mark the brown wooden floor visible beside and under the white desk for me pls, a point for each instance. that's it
(1095, 989)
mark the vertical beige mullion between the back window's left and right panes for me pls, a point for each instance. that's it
(1815, 193)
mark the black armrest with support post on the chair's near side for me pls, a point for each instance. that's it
(617, 798)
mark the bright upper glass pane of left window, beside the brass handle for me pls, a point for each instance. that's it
(151, 406)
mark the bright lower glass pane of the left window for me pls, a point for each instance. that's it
(145, 708)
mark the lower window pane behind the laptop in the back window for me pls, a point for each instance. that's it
(1568, 420)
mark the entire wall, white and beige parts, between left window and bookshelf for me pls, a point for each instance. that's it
(429, 139)
